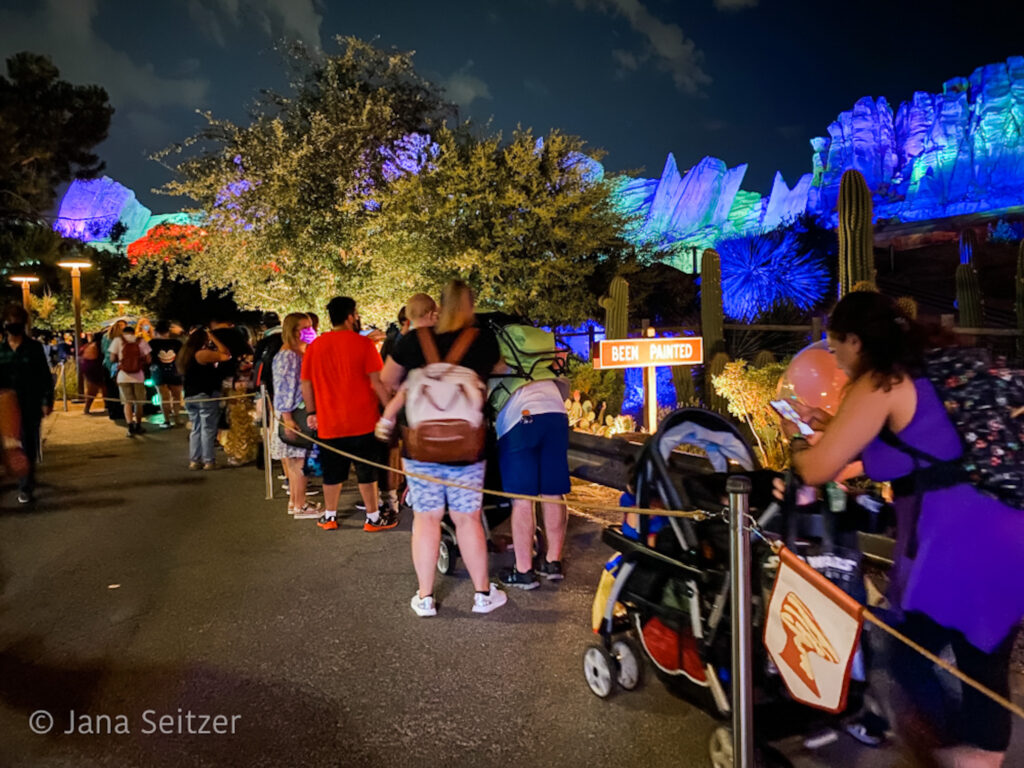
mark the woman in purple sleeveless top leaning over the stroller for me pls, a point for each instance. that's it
(959, 552)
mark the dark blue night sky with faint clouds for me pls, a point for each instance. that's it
(744, 80)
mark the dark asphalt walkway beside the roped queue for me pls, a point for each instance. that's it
(138, 590)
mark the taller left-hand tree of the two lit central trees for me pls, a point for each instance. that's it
(272, 196)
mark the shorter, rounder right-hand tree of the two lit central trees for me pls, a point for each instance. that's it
(529, 224)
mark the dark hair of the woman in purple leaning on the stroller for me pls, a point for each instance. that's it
(892, 346)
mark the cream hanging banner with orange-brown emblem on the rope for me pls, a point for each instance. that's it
(812, 634)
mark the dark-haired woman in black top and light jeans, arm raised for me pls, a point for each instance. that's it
(203, 390)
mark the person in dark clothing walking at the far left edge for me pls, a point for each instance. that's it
(25, 360)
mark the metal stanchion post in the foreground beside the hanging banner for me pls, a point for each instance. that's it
(739, 489)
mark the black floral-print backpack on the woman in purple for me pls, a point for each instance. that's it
(986, 403)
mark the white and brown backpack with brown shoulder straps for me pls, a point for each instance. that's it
(445, 405)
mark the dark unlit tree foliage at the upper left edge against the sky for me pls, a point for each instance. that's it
(49, 129)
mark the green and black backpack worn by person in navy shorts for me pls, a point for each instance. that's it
(533, 356)
